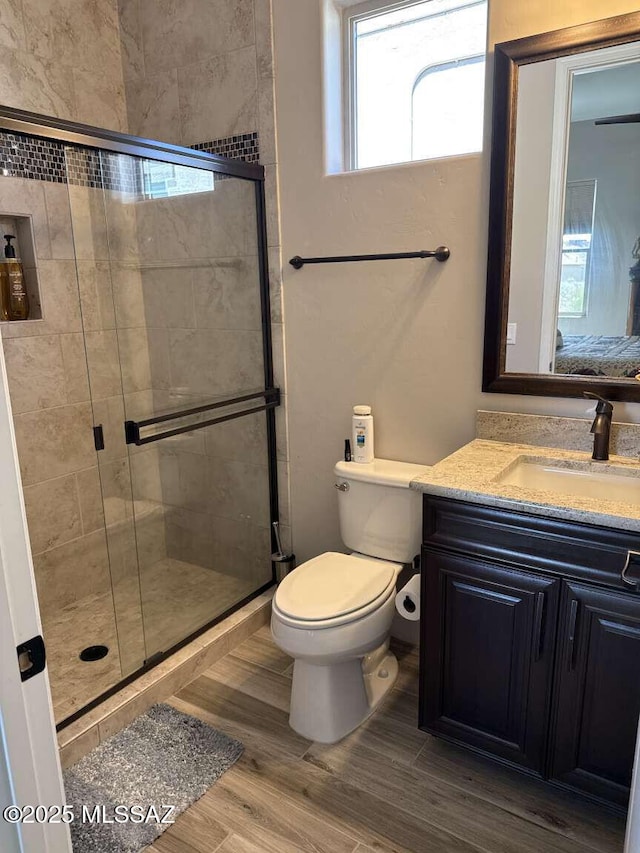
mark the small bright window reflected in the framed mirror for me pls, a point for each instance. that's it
(579, 210)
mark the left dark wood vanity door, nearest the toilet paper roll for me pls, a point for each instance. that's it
(487, 654)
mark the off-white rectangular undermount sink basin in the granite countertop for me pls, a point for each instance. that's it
(568, 477)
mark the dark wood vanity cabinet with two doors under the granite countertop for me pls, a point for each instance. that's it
(530, 645)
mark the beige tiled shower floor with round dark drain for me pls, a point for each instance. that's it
(177, 599)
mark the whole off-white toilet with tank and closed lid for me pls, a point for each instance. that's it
(333, 613)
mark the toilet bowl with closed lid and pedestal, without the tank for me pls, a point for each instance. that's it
(339, 639)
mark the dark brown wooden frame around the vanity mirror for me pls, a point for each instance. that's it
(509, 56)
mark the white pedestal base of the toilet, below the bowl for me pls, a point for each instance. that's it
(329, 702)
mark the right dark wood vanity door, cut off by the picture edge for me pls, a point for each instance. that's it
(597, 690)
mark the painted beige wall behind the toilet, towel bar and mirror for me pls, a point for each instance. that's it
(406, 337)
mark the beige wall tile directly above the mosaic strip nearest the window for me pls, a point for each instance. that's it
(218, 96)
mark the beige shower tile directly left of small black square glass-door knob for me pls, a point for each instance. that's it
(54, 442)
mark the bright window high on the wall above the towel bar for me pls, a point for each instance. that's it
(415, 80)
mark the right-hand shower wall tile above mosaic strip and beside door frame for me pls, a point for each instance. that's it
(201, 72)
